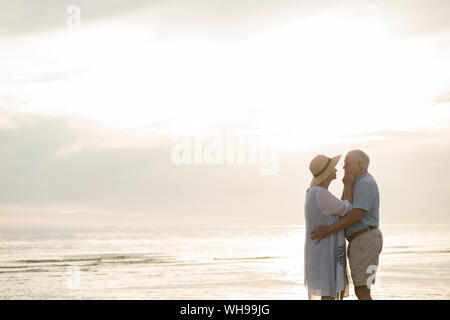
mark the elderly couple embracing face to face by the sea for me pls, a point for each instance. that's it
(329, 221)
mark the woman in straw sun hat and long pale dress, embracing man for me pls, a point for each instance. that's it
(325, 262)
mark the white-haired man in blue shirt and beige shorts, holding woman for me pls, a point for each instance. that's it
(361, 224)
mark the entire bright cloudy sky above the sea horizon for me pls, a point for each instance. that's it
(90, 114)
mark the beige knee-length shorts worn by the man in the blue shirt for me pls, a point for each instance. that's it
(364, 252)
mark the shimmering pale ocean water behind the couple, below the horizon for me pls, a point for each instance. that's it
(260, 262)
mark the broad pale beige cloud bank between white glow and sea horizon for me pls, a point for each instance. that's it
(66, 171)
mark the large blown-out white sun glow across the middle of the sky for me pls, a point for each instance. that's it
(312, 78)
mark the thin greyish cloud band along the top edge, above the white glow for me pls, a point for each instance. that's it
(222, 18)
